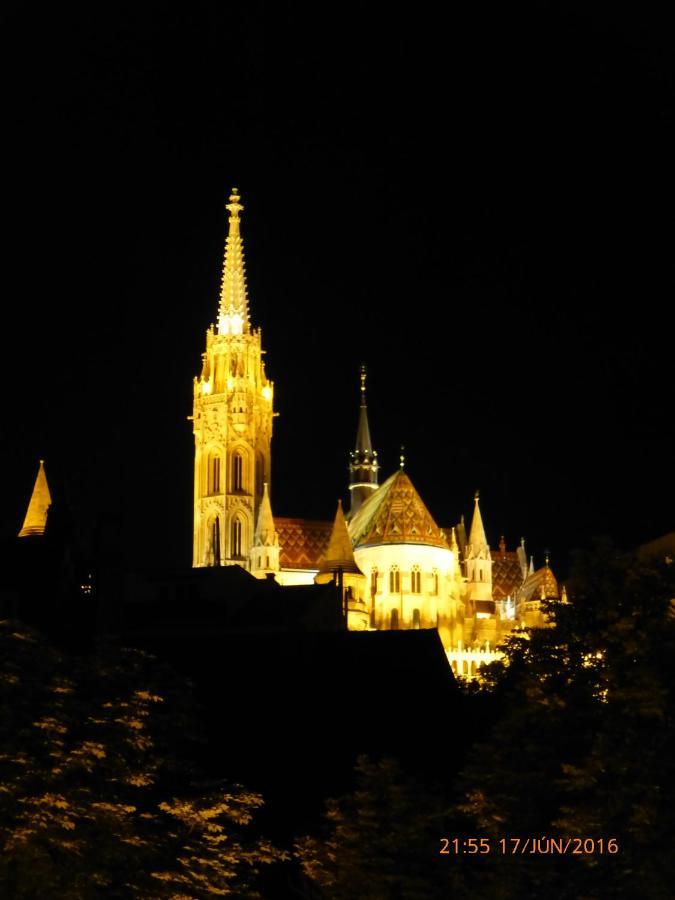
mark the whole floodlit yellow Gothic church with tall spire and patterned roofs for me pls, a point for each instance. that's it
(396, 568)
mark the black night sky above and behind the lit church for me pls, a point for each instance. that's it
(481, 209)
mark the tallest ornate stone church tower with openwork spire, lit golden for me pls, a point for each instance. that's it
(232, 421)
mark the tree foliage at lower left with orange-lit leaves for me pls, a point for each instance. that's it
(97, 797)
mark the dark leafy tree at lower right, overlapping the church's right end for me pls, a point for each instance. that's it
(585, 744)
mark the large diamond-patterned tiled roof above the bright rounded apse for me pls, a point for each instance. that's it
(395, 514)
